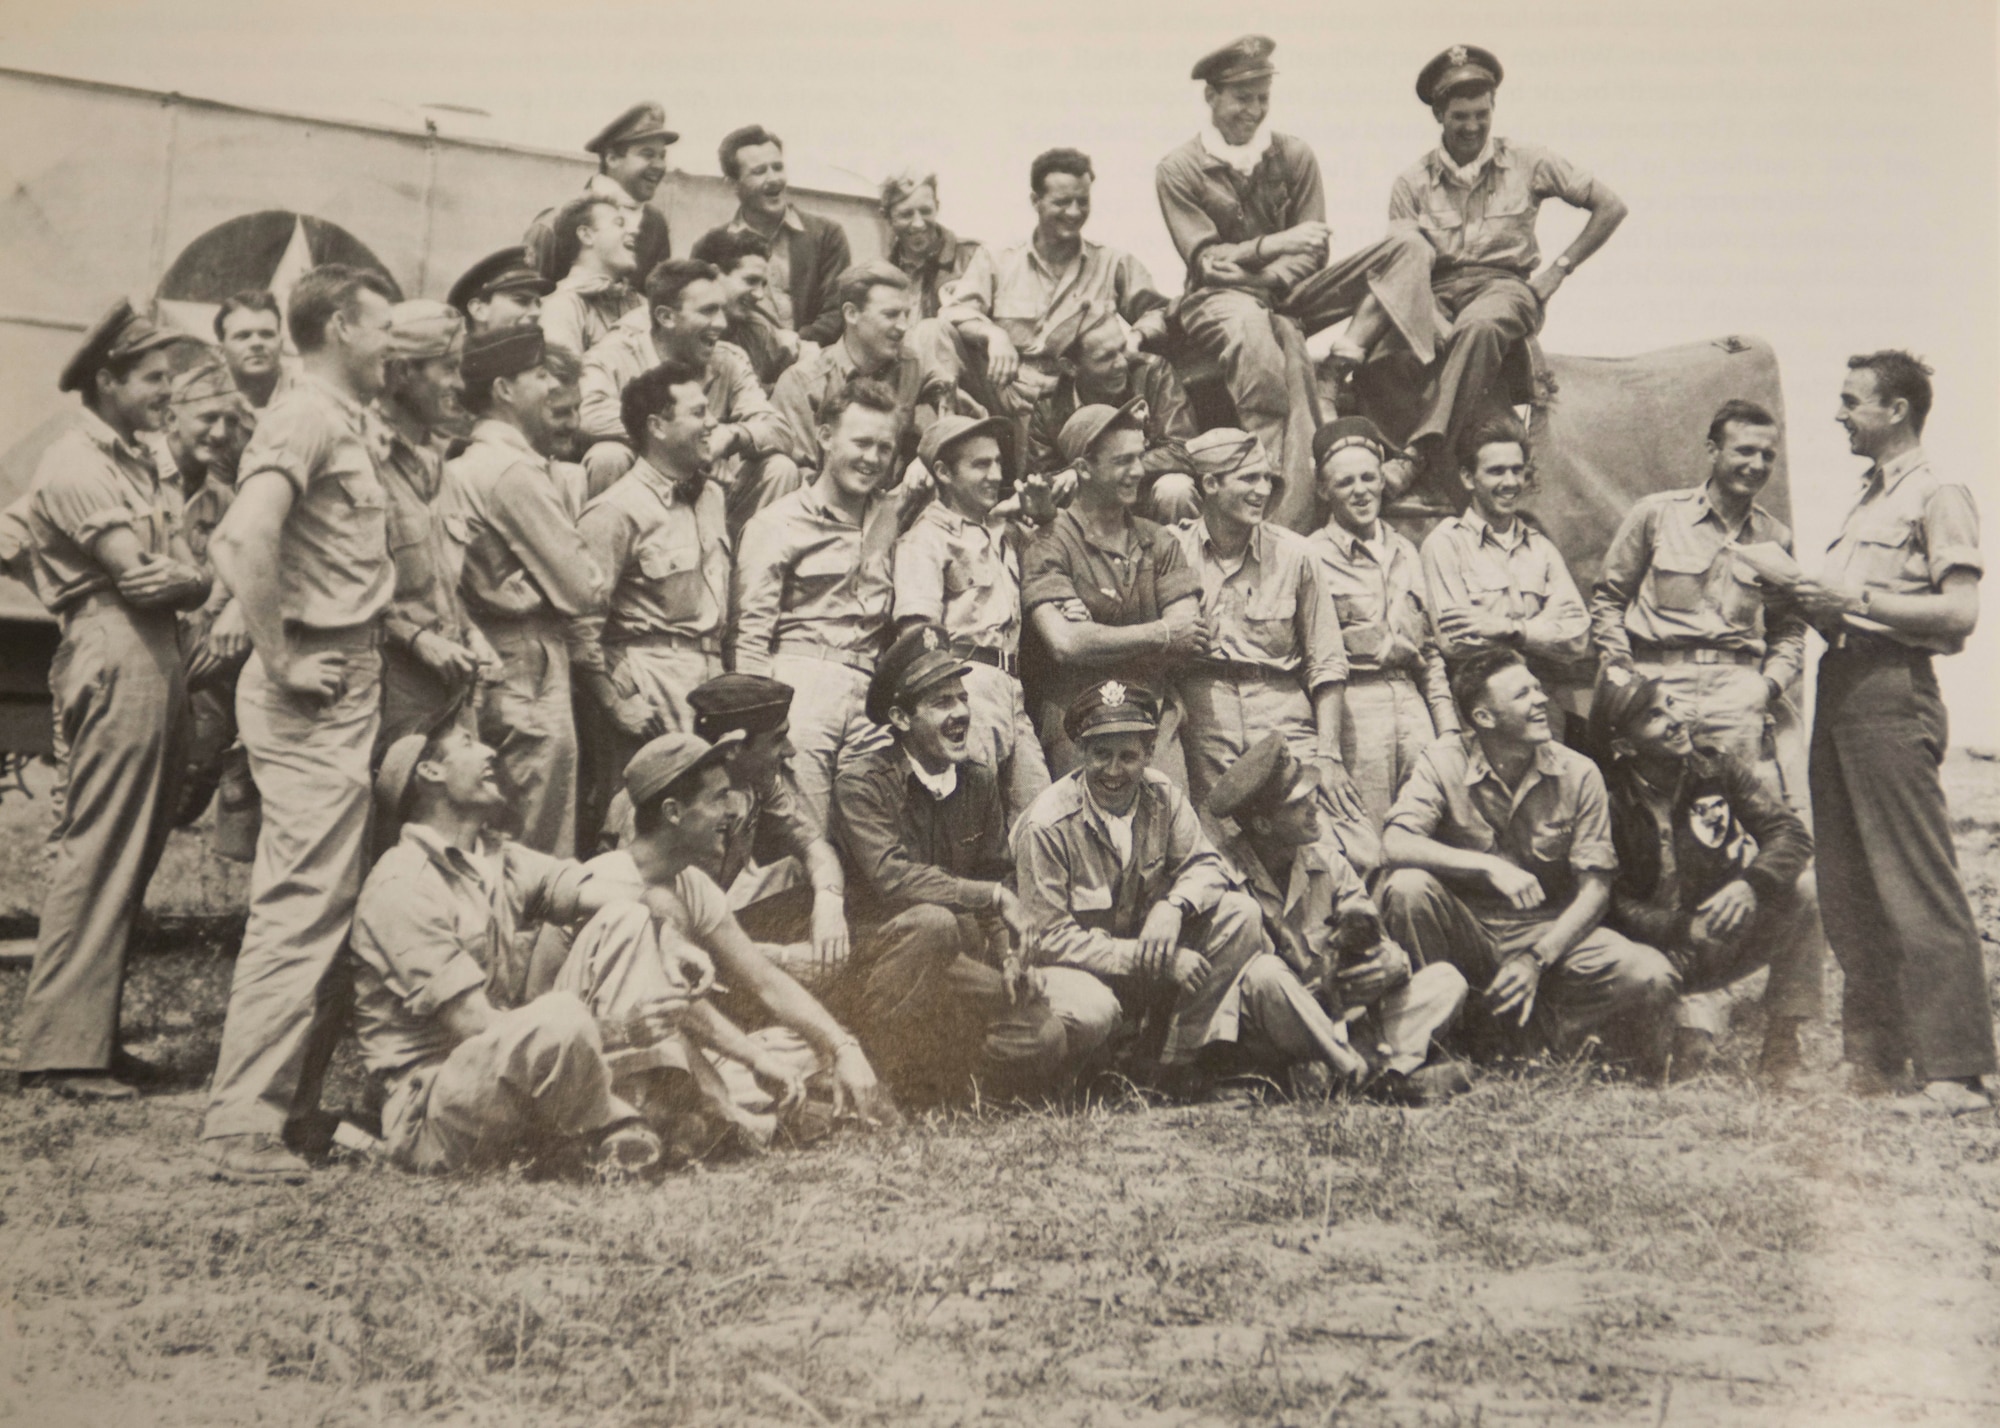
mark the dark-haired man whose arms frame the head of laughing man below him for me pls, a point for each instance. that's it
(687, 325)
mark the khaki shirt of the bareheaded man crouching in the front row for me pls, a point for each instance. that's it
(1555, 825)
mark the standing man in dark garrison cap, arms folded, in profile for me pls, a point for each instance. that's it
(529, 575)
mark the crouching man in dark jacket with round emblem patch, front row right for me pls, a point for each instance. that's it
(1713, 869)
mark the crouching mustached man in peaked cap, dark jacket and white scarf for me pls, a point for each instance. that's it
(937, 979)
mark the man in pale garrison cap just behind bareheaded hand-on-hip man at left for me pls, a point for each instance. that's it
(433, 655)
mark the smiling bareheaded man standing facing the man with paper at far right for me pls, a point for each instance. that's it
(1697, 595)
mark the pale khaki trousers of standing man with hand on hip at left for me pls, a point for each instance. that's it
(311, 767)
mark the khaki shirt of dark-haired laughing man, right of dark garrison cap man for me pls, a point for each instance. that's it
(667, 561)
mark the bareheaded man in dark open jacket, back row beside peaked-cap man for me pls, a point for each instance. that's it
(807, 253)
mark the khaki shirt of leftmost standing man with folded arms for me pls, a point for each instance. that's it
(93, 481)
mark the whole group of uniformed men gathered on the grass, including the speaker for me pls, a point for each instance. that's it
(641, 645)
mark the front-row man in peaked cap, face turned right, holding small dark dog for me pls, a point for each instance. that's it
(1327, 929)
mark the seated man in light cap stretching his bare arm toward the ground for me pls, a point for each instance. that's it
(619, 965)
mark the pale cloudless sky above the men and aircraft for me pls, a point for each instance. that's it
(1821, 175)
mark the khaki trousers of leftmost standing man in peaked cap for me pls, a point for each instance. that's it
(123, 713)
